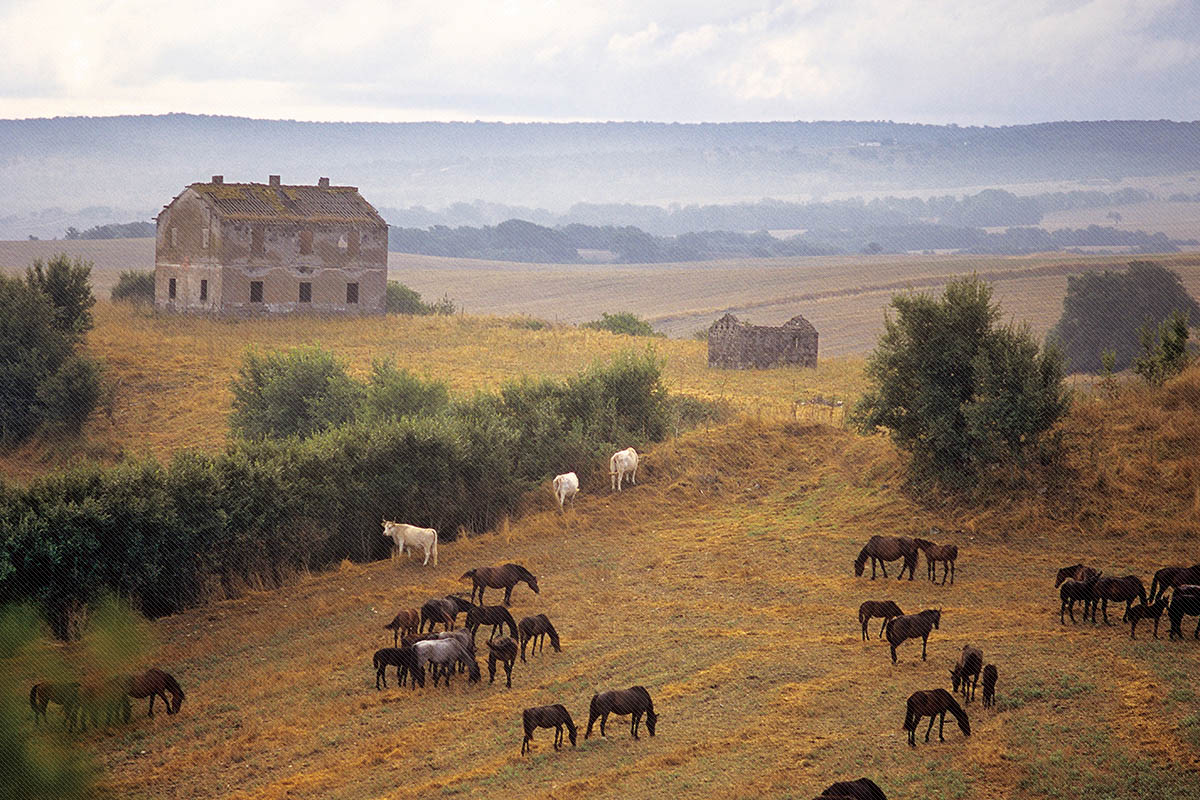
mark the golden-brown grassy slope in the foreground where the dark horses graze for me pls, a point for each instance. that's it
(723, 584)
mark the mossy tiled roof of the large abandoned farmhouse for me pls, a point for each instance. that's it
(289, 203)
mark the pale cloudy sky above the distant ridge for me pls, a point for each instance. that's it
(968, 62)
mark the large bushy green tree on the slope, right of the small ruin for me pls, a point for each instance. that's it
(955, 390)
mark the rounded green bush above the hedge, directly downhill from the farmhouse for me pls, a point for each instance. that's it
(298, 393)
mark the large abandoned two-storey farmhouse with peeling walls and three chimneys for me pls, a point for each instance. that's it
(271, 249)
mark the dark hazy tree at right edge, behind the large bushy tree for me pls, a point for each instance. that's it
(1102, 312)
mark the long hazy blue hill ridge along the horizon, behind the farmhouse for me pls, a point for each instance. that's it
(141, 163)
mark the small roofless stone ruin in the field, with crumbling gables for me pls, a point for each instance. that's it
(735, 345)
